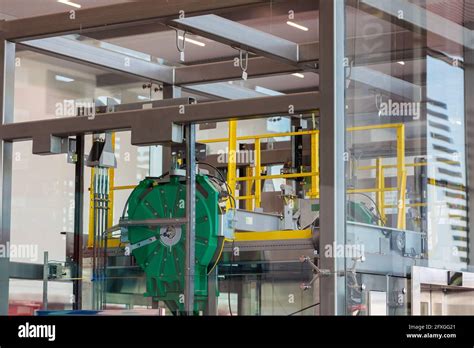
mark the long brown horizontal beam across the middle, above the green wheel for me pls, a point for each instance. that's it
(141, 122)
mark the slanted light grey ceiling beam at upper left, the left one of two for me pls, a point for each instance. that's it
(80, 52)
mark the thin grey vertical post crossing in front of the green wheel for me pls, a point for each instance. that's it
(191, 217)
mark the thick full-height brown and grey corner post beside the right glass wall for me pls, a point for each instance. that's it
(332, 138)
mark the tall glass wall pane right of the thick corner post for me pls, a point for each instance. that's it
(407, 102)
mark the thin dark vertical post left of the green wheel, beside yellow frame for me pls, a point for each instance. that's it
(78, 222)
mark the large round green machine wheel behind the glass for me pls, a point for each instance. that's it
(160, 250)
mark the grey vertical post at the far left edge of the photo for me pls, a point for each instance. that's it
(7, 84)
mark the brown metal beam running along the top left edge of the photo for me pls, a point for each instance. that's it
(112, 17)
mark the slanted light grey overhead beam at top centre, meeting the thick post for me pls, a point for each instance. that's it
(238, 35)
